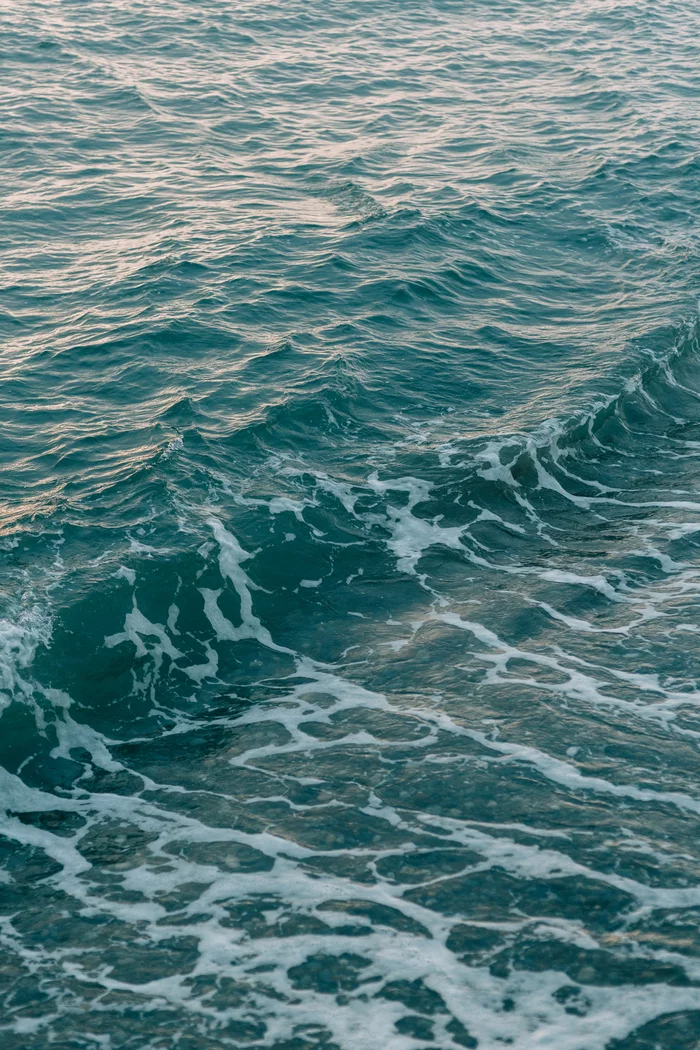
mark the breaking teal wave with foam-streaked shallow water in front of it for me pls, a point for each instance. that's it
(190, 717)
